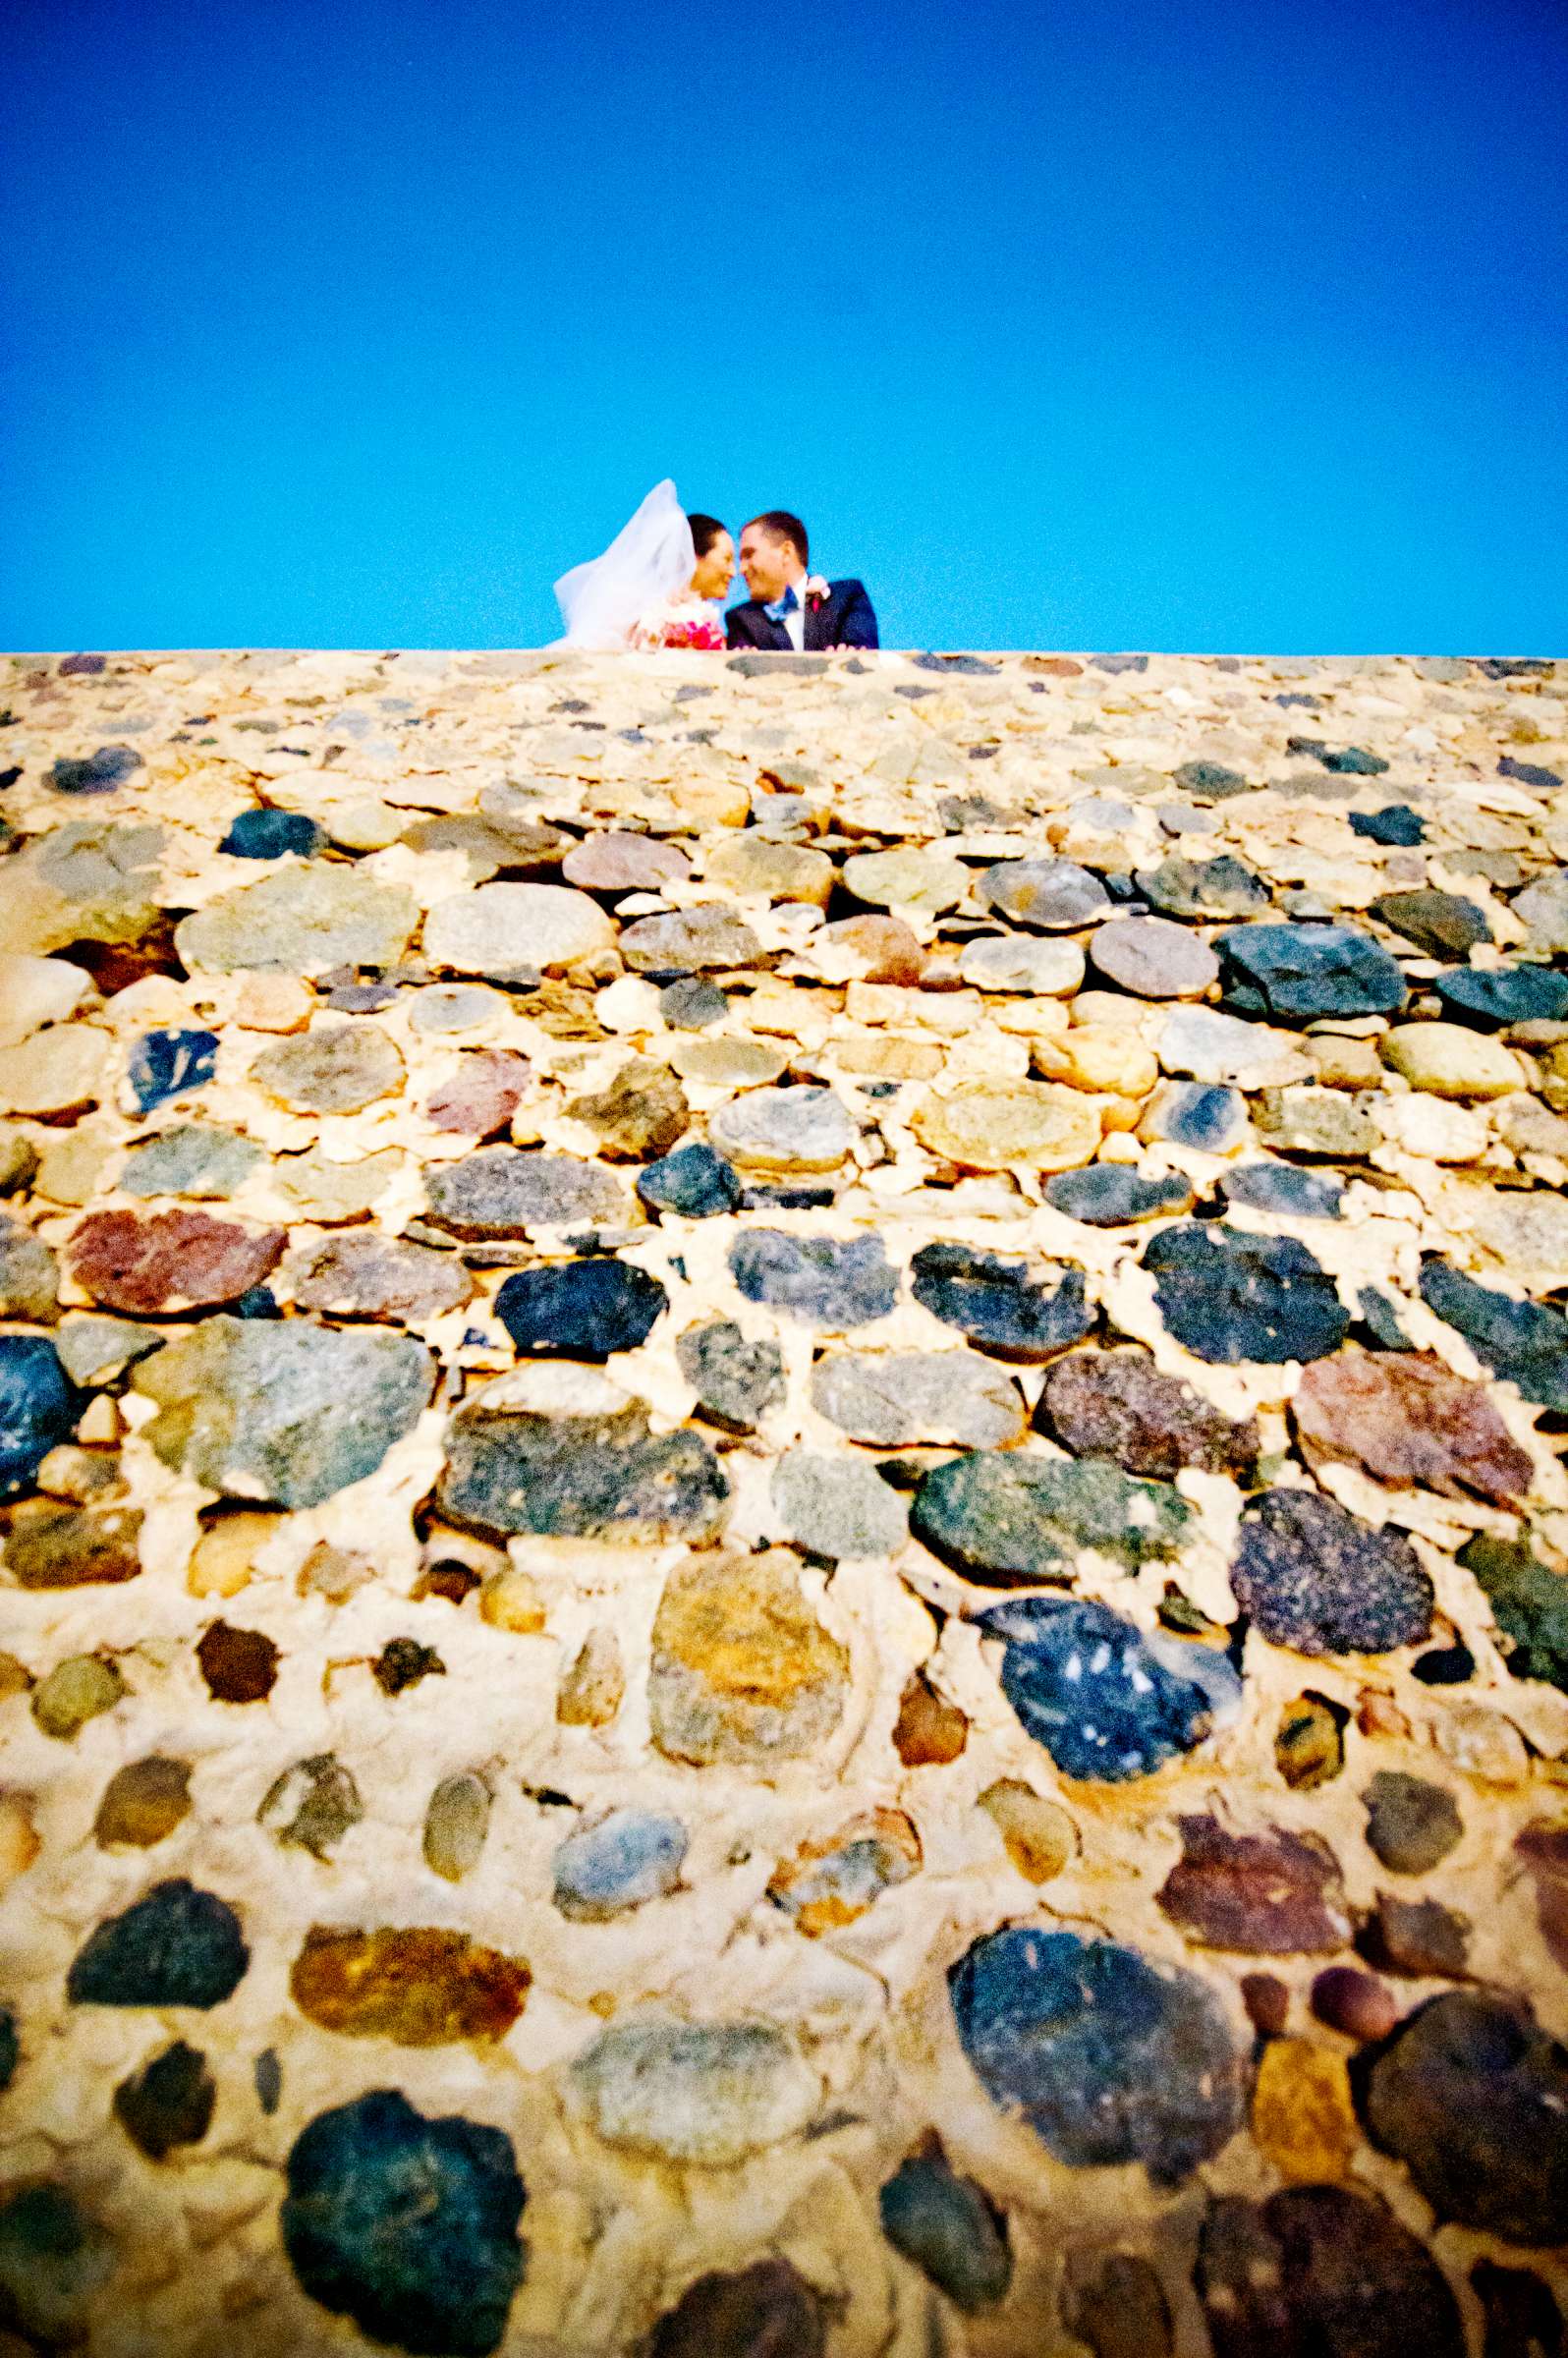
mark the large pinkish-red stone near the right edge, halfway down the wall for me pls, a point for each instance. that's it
(1406, 1418)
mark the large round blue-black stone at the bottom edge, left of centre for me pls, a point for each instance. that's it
(430, 2274)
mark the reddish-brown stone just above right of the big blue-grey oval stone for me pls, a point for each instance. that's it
(1270, 1895)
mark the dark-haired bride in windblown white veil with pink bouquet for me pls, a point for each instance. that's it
(659, 584)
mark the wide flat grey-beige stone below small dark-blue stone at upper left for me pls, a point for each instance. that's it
(301, 921)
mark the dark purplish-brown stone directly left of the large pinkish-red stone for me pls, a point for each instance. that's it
(1121, 1407)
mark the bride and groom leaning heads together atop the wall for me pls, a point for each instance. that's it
(664, 579)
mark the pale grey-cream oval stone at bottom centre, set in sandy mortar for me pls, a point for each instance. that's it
(701, 2095)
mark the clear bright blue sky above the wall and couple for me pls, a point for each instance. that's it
(1178, 327)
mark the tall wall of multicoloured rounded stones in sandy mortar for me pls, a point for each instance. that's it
(784, 1548)
